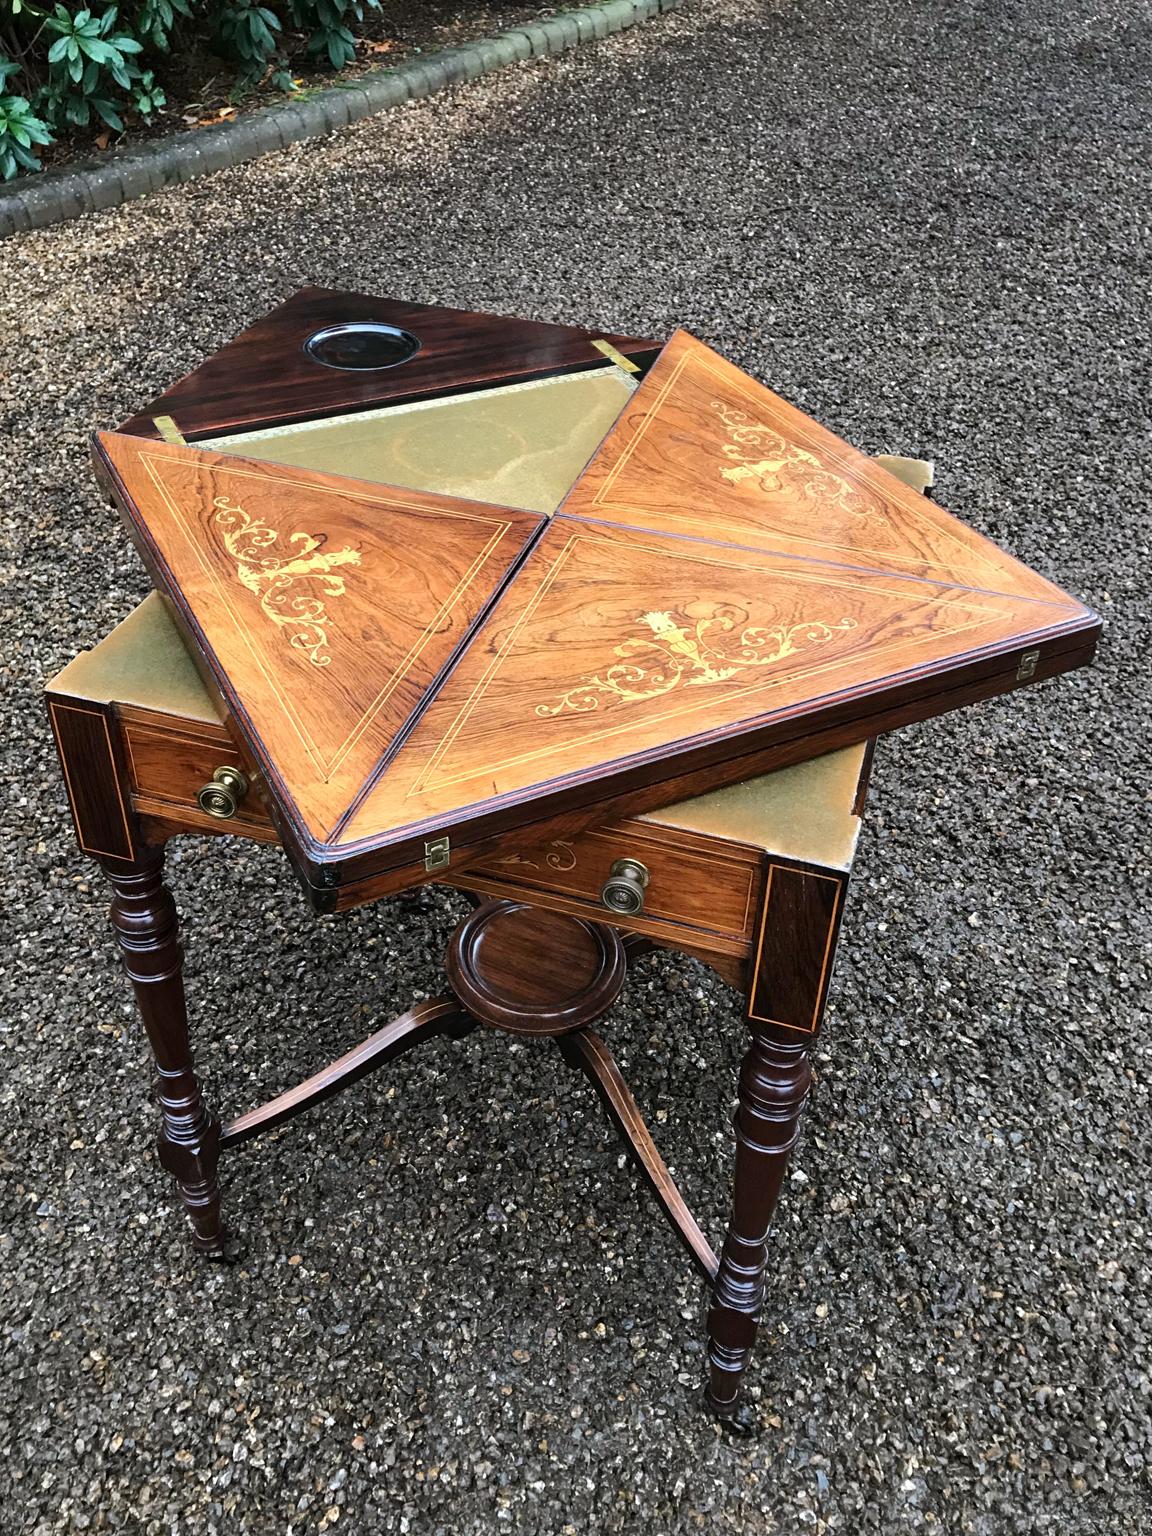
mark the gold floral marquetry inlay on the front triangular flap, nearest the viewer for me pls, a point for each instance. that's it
(695, 647)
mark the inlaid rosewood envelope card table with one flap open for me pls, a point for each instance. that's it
(594, 629)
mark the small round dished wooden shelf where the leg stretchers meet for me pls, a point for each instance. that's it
(534, 972)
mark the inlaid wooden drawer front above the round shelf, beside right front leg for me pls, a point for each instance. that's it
(687, 882)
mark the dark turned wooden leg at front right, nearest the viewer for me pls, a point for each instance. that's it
(775, 1082)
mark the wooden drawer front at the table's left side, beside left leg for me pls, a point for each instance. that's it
(170, 764)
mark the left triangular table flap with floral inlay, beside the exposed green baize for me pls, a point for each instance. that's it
(326, 609)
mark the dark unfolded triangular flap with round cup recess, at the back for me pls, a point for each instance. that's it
(265, 377)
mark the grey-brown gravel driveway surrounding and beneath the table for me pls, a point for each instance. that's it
(925, 223)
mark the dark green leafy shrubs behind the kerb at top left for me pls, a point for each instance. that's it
(73, 67)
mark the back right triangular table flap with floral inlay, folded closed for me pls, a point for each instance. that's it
(707, 452)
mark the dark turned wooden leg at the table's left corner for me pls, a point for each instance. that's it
(145, 922)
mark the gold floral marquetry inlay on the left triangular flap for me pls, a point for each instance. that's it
(276, 575)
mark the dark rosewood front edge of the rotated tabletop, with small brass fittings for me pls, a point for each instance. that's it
(661, 776)
